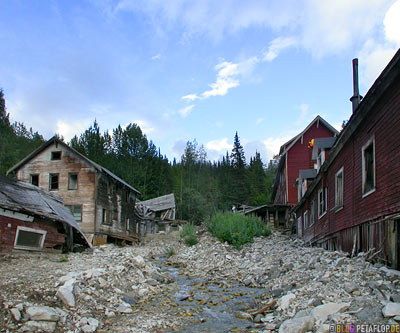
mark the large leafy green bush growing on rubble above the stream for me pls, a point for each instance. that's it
(236, 229)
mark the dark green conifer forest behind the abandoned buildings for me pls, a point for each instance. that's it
(201, 187)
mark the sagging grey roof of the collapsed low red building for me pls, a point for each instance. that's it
(28, 199)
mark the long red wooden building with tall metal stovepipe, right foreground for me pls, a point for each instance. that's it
(353, 204)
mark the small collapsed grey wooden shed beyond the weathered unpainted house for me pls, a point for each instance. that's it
(157, 214)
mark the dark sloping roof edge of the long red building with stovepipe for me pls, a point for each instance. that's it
(389, 75)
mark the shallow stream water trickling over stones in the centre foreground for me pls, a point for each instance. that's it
(212, 306)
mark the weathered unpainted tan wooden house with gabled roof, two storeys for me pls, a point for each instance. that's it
(102, 204)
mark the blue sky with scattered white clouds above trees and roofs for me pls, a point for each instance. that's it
(186, 70)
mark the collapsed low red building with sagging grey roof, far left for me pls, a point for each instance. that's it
(35, 220)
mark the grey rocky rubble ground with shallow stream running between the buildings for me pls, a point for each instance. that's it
(274, 284)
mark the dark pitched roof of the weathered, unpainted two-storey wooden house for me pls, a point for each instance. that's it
(54, 139)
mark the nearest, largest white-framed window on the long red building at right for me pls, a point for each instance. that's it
(368, 167)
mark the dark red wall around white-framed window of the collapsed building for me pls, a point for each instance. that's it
(8, 229)
